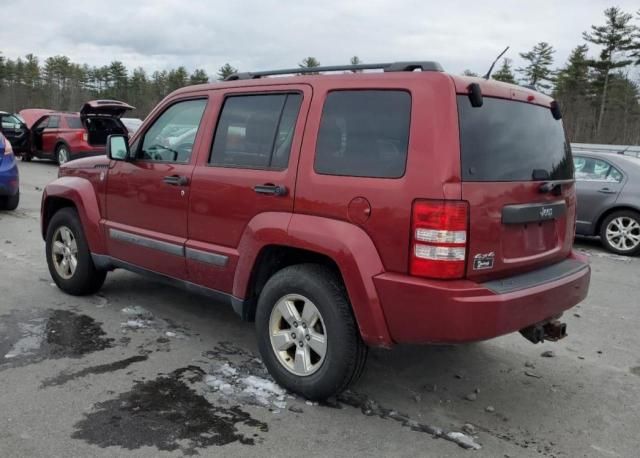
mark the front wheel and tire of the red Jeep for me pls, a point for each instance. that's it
(84, 278)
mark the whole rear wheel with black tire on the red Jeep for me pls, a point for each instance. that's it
(309, 285)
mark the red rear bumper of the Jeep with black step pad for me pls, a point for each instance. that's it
(426, 311)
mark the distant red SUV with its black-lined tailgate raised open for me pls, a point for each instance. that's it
(62, 136)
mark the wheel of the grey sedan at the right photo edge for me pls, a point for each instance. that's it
(620, 232)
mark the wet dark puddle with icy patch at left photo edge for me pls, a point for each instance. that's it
(32, 336)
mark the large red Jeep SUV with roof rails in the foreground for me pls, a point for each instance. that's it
(337, 211)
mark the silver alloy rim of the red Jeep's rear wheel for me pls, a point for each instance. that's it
(298, 335)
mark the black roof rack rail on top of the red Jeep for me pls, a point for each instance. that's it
(426, 66)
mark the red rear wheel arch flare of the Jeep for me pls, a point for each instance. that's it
(348, 245)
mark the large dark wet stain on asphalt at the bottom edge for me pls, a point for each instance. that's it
(168, 414)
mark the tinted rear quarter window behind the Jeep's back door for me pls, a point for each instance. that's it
(364, 134)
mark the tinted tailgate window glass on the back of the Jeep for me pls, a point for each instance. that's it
(505, 140)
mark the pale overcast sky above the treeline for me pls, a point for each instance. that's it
(265, 34)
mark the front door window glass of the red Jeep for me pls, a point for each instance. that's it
(171, 137)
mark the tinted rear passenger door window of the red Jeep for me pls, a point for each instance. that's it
(256, 131)
